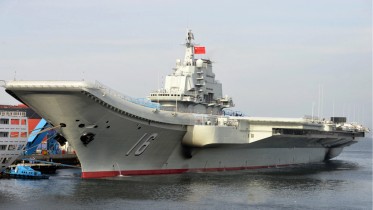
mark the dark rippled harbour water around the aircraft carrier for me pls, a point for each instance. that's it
(342, 183)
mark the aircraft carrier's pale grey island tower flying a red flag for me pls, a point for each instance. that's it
(192, 87)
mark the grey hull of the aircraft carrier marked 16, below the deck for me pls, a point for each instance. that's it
(124, 143)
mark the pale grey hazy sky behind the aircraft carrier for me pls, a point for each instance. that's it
(271, 56)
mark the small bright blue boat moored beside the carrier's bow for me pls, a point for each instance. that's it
(25, 172)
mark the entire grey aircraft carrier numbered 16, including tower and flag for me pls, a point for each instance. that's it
(181, 128)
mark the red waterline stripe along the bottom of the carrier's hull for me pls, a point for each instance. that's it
(101, 174)
